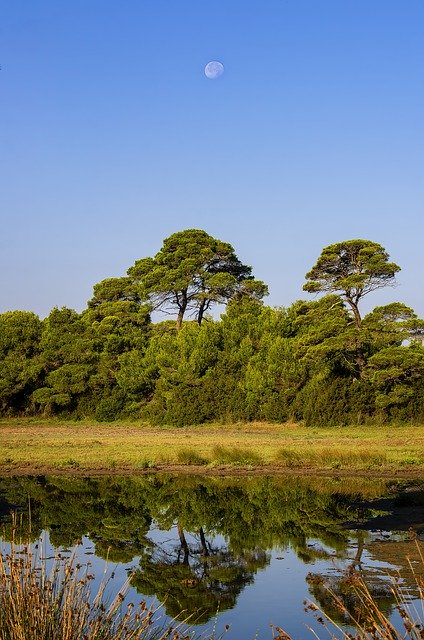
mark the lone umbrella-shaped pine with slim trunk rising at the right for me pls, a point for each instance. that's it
(353, 269)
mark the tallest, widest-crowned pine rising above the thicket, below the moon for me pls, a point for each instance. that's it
(192, 272)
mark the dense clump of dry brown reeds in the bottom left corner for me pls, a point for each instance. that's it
(36, 604)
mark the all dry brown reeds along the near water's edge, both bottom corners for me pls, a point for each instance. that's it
(58, 604)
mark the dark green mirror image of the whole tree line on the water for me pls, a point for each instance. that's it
(197, 543)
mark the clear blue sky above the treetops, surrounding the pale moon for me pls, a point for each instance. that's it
(112, 138)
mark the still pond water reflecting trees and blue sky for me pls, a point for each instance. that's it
(243, 552)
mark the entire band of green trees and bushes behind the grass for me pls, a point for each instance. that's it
(320, 361)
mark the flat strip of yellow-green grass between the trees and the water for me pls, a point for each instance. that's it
(32, 445)
